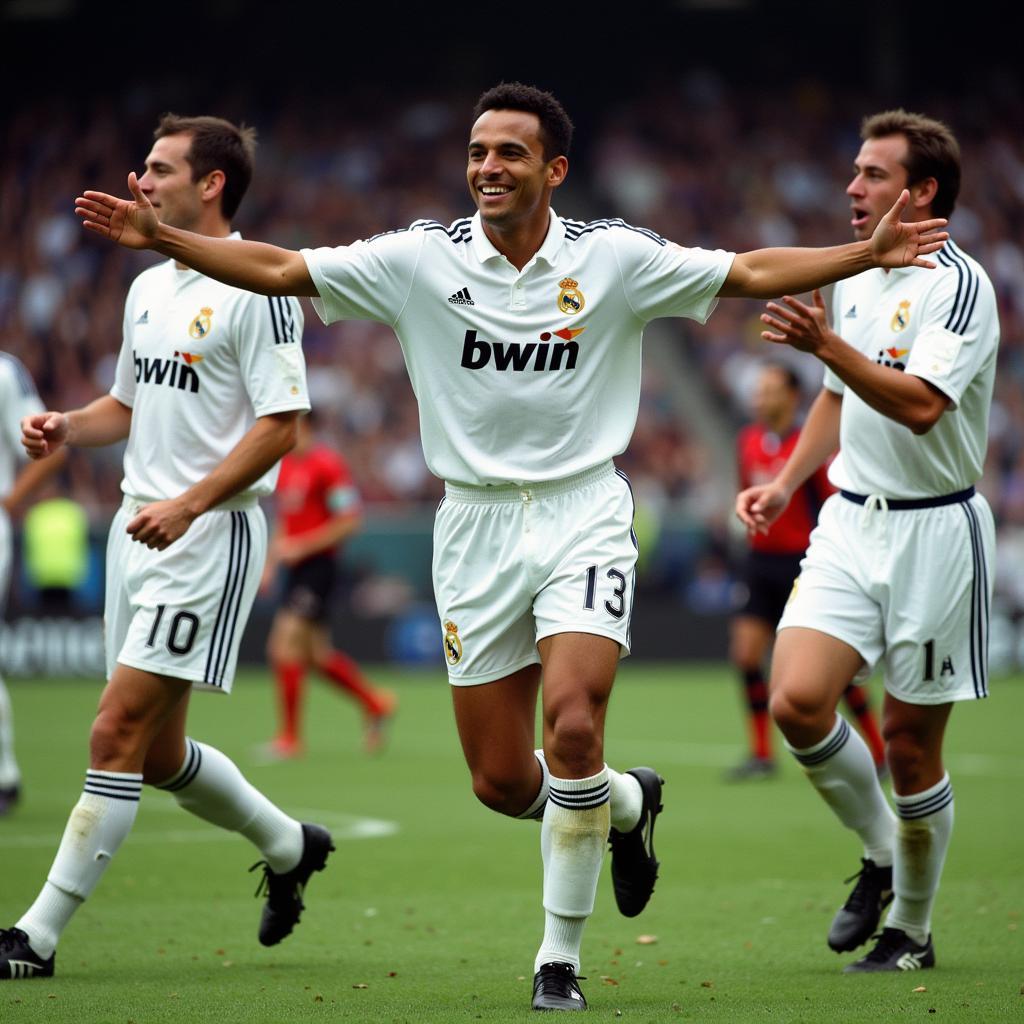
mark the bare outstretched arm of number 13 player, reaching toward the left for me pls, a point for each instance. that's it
(255, 267)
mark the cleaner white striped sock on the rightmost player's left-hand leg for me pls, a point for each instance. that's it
(842, 771)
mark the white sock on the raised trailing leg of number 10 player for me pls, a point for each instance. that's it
(210, 786)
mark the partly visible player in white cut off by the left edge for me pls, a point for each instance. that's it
(18, 399)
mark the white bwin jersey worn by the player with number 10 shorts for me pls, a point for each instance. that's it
(200, 363)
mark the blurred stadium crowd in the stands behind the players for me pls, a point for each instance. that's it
(697, 160)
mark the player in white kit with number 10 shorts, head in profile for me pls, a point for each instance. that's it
(209, 386)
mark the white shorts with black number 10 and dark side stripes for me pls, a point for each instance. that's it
(182, 612)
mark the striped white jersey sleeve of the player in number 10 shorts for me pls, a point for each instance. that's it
(270, 354)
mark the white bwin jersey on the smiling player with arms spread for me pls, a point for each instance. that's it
(521, 376)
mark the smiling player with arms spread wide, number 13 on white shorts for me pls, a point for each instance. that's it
(522, 333)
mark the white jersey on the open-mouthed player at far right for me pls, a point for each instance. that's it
(940, 325)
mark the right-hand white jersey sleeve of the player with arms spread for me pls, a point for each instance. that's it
(663, 279)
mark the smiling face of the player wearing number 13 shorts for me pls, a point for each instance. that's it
(507, 174)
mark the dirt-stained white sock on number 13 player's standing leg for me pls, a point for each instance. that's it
(573, 837)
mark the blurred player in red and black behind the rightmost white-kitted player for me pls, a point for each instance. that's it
(774, 563)
